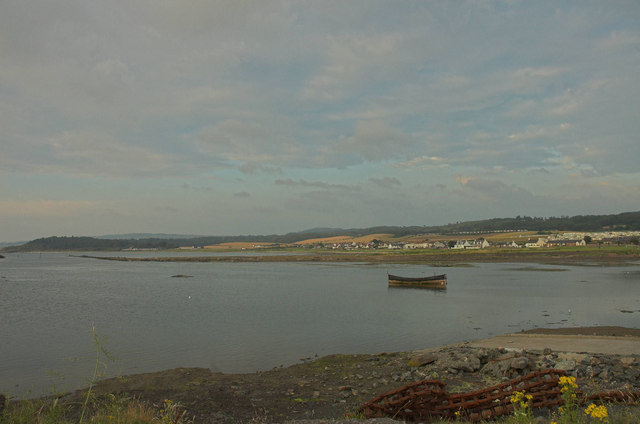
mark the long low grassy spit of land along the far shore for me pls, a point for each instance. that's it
(589, 257)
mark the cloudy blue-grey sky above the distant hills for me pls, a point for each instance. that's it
(267, 117)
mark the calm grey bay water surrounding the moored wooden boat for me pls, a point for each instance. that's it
(243, 317)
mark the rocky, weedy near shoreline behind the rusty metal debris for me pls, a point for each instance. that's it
(333, 387)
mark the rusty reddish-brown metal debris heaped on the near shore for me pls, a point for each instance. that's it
(426, 399)
